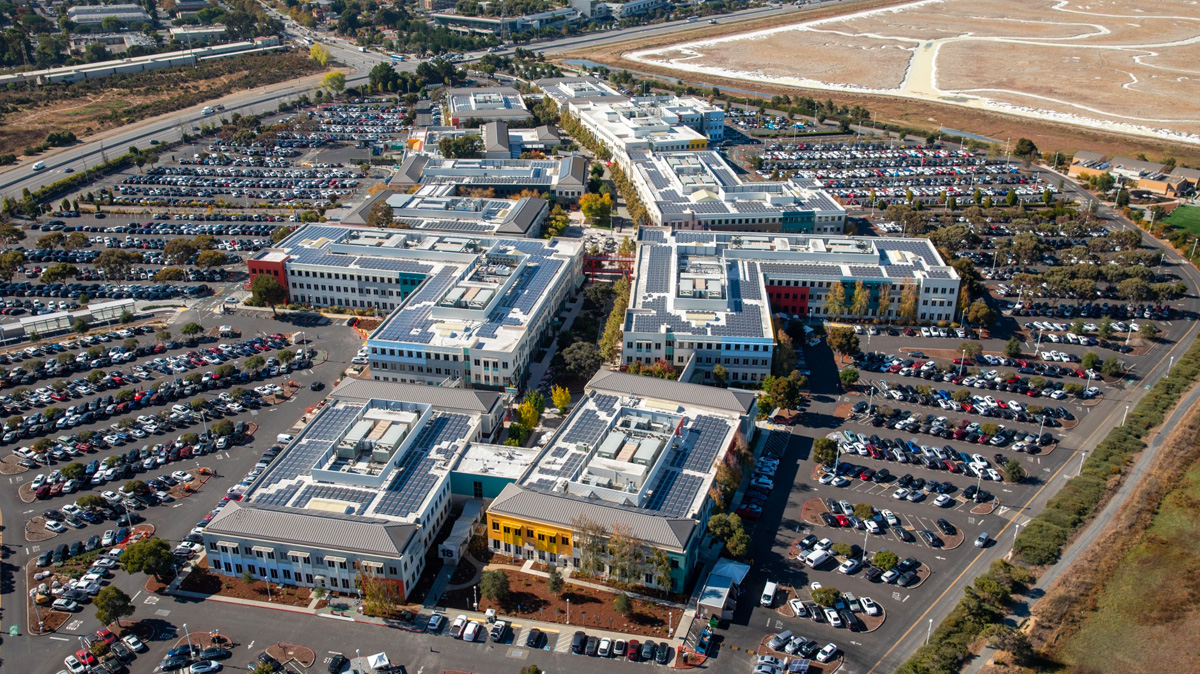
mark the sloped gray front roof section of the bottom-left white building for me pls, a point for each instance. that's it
(308, 528)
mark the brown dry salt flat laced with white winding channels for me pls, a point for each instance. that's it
(1102, 65)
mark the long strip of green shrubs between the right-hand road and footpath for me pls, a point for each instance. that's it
(986, 603)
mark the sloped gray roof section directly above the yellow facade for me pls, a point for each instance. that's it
(565, 510)
